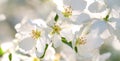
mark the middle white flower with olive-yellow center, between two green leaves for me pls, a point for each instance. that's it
(59, 29)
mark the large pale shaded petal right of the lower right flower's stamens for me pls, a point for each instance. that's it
(93, 42)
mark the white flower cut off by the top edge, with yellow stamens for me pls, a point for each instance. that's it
(69, 8)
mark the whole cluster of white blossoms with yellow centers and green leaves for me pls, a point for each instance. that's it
(73, 31)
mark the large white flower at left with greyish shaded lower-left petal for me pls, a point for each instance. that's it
(33, 36)
